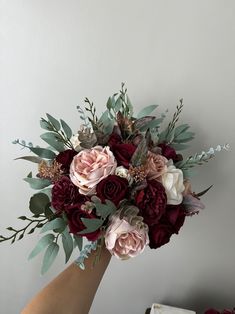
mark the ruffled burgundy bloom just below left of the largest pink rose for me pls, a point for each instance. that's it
(65, 193)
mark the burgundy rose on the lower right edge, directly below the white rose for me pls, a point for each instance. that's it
(175, 216)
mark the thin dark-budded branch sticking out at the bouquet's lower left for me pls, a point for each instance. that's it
(34, 222)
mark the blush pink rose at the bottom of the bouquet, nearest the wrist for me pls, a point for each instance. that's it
(124, 240)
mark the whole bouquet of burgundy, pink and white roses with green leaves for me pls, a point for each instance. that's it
(119, 182)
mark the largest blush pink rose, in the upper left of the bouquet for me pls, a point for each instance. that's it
(90, 166)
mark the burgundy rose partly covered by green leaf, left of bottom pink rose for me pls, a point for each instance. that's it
(74, 215)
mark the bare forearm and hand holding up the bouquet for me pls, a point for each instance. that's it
(72, 291)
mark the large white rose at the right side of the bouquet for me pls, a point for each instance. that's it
(173, 182)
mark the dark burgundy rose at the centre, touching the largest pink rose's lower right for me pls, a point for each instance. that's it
(113, 188)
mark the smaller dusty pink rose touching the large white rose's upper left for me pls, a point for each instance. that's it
(156, 165)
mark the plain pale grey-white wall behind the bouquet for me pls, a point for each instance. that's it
(53, 54)
